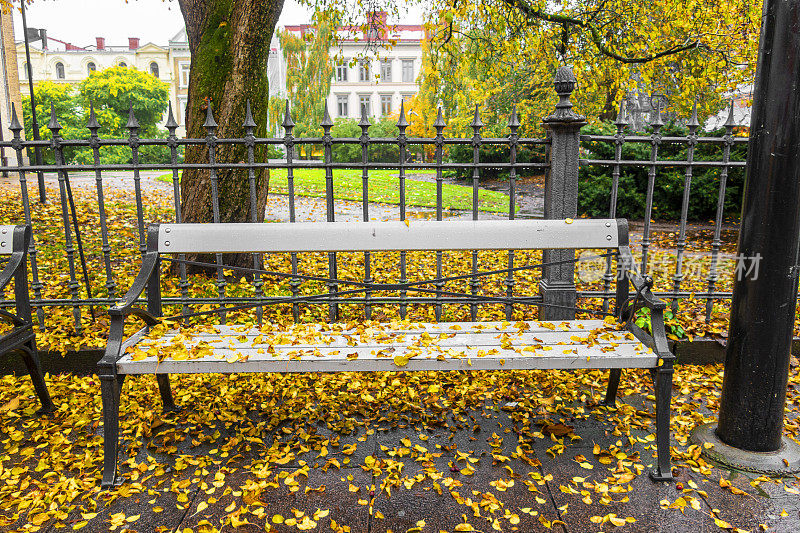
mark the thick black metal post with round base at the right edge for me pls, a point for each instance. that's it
(751, 415)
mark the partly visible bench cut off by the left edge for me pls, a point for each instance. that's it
(21, 338)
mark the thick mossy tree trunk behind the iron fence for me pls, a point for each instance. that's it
(229, 41)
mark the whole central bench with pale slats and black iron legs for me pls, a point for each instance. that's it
(575, 344)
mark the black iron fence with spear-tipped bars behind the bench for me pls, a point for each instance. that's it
(563, 147)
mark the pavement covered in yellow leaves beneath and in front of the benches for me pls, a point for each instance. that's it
(458, 451)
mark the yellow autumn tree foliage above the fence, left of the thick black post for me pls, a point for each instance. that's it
(501, 53)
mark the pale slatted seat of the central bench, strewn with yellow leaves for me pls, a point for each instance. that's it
(584, 344)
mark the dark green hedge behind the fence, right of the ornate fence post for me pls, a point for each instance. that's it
(594, 186)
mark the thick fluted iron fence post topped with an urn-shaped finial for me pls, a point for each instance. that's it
(557, 286)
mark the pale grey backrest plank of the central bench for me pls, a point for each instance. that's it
(394, 235)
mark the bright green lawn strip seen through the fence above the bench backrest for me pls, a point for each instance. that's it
(383, 187)
